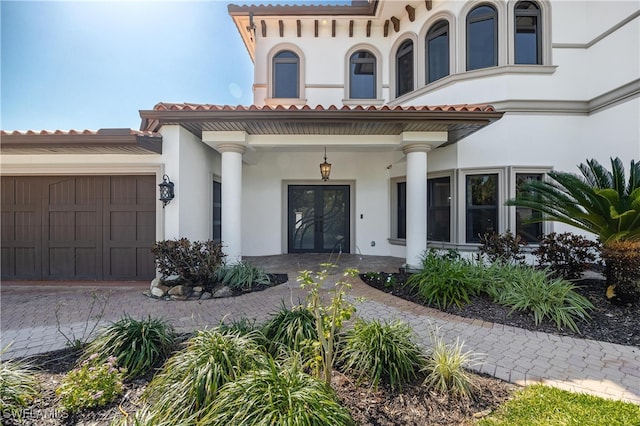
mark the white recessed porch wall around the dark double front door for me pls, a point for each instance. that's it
(264, 197)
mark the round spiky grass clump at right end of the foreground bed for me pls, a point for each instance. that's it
(381, 352)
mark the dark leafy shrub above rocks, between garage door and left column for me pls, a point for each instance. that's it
(196, 261)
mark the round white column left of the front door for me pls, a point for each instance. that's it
(231, 197)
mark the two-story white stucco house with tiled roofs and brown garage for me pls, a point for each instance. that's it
(430, 114)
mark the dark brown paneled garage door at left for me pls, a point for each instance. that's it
(78, 227)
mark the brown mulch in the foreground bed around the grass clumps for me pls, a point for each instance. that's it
(414, 405)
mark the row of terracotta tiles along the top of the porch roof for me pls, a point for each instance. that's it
(164, 106)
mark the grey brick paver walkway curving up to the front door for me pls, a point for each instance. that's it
(31, 315)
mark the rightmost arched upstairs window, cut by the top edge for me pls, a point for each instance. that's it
(527, 43)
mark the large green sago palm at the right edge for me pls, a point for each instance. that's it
(601, 202)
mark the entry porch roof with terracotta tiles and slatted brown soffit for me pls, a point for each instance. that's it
(458, 121)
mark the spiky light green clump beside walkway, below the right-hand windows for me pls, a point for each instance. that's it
(546, 297)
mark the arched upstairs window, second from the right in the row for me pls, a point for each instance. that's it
(482, 38)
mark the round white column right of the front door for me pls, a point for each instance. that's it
(416, 239)
